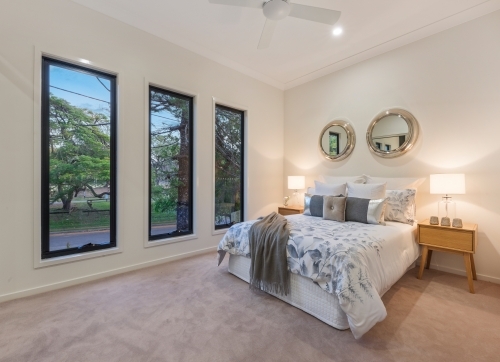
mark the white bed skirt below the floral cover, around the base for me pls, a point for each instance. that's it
(304, 295)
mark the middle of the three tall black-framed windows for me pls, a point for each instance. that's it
(170, 164)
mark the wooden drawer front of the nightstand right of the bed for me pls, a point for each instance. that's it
(447, 238)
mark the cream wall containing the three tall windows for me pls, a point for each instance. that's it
(70, 30)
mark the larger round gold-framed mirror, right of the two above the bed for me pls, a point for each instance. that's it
(392, 133)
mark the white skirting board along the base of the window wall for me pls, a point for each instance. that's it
(88, 278)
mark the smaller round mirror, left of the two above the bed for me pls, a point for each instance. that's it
(337, 140)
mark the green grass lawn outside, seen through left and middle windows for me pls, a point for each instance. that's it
(84, 219)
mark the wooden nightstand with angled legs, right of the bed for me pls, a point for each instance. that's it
(448, 239)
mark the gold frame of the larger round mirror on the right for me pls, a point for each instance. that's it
(413, 131)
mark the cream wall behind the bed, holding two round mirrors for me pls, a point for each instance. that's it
(451, 83)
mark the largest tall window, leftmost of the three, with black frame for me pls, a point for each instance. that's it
(78, 159)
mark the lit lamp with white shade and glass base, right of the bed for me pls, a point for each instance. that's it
(447, 184)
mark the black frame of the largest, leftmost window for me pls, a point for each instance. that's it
(45, 155)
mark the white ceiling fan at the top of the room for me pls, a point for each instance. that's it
(275, 10)
